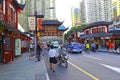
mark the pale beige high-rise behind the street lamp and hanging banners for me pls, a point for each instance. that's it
(41, 8)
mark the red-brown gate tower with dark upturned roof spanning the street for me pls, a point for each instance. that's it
(51, 28)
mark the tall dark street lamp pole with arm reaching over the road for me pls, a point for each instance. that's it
(38, 16)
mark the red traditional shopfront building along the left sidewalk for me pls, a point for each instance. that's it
(10, 36)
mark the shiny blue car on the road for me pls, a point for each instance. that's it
(75, 47)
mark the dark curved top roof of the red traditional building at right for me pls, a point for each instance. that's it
(95, 24)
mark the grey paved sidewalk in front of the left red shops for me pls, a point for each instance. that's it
(24, 69)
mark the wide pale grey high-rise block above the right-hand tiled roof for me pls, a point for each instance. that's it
(95, 10)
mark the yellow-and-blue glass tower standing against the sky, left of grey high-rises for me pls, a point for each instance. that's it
(75, 12)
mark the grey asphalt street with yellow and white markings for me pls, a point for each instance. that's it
(94, 66)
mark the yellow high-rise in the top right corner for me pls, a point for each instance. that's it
(115, 8)
